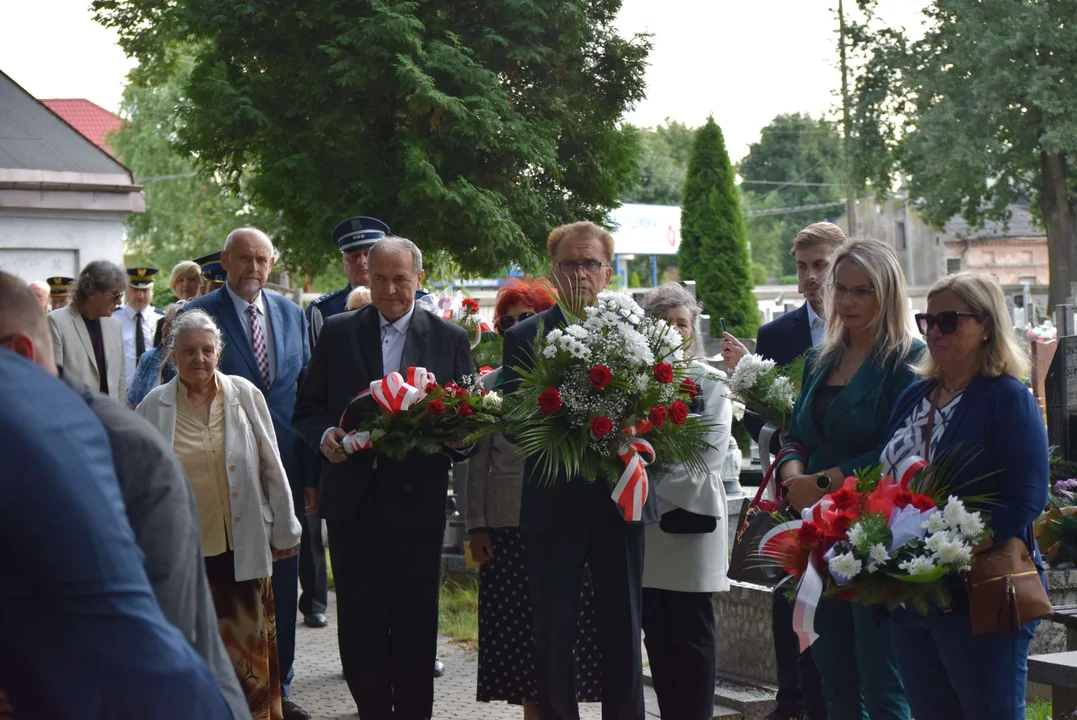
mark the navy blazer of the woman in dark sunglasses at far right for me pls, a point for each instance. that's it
(998, 433)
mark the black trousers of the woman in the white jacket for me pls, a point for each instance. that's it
(681, 633)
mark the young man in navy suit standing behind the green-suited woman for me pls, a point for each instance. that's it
(784, 341)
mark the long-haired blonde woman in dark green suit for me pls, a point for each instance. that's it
(851, 384)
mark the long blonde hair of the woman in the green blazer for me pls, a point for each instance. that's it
(892, 328)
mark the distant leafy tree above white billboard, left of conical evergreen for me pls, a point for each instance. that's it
(663, 165)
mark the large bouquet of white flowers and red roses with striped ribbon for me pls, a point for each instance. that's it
(606, 399)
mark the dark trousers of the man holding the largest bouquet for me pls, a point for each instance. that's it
(555, 577)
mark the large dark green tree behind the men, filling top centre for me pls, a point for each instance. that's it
(472, 128)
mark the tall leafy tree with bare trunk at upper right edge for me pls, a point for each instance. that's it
(978, 115)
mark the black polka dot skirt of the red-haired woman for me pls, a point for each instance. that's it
(507, 648)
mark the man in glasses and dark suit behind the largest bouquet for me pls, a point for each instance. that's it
(575, 520)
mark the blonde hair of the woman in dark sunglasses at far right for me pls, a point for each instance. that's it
(984, 295)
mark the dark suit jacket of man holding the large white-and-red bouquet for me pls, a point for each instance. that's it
(569, 503)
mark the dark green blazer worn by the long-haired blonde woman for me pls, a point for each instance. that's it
(855, 427)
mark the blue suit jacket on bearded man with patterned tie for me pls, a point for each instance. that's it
(292, 354)
